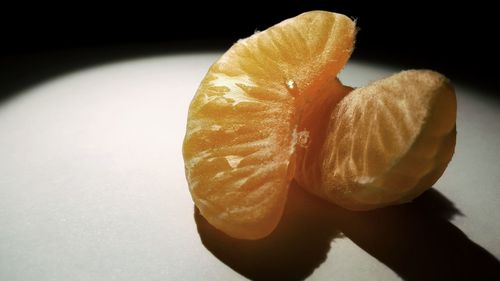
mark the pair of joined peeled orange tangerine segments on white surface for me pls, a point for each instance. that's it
(271, 110)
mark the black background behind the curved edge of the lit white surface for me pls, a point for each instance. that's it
(38, 42)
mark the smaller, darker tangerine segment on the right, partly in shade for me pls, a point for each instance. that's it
(387, 142)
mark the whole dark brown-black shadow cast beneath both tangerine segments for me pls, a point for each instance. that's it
(415, 240)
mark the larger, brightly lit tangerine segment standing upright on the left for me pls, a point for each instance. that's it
(239, 148)
